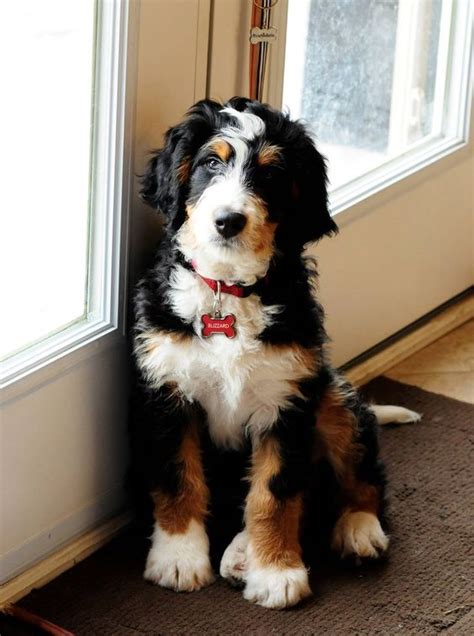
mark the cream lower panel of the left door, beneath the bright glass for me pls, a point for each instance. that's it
(63, 457)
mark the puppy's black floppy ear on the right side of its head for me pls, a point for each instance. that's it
(312, 218)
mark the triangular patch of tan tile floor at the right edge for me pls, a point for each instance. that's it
(445, 366)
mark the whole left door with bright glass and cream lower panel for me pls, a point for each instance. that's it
(66, 139)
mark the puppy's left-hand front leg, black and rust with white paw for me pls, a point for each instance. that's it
(179, 554)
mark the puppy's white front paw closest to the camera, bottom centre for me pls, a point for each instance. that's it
(275, 587)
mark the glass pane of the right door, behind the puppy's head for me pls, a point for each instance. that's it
(366, 75)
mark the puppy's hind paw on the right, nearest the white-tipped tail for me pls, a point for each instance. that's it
(359, 534)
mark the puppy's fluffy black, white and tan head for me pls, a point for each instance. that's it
(237, 184)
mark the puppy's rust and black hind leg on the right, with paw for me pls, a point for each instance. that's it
(347, 432)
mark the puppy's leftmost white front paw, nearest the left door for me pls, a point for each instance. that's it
(180, 561)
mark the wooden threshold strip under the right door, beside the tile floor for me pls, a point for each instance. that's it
(409, 343)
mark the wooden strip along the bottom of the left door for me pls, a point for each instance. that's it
(61, 560)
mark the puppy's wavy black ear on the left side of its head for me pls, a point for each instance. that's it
(165, 184)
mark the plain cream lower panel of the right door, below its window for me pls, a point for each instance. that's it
(398, 256)
